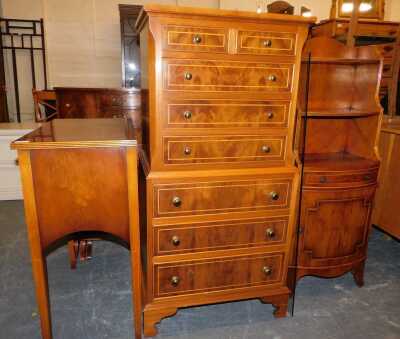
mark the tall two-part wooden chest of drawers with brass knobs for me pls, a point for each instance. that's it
(219, 172)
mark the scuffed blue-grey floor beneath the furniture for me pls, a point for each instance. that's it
(94, 302)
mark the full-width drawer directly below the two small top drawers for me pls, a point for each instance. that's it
(188, 75)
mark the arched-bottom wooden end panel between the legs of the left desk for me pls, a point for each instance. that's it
(61, 185)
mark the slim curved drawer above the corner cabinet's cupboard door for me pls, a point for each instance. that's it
(348, 179)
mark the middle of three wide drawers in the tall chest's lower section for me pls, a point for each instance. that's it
(214, 236)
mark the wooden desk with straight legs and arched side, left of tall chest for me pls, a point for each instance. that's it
(80, 176)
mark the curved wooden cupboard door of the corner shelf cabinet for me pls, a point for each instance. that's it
(334, 226)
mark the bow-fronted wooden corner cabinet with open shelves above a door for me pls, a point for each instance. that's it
(339, 117)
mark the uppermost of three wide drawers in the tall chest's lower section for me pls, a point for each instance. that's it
(220, 197)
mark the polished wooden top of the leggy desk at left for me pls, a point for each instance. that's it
(79, 133)
